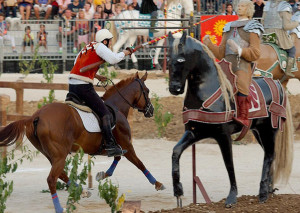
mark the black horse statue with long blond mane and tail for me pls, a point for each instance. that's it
(191, 60)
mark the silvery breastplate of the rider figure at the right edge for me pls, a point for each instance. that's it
(272, 18)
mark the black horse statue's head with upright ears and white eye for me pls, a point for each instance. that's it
(179, 64)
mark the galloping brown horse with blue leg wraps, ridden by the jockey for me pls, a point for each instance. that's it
(56, 130)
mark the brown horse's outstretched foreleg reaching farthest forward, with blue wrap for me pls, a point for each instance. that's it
(131, 156)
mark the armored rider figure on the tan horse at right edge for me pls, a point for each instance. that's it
(277, 19)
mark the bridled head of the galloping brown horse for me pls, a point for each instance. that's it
(142, 101)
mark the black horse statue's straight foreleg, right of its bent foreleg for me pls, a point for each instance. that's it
(224, 142)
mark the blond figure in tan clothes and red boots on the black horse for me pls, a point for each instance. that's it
(240, 45)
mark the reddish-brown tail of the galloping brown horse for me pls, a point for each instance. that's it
(14, 131)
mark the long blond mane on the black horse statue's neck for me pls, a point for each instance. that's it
(225, 85)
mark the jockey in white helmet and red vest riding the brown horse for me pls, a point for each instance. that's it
(81, 83)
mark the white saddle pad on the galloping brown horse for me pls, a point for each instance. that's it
(89, 121)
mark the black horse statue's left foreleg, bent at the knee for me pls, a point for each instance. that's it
(186, 140)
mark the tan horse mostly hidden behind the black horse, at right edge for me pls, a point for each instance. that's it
(268, 57)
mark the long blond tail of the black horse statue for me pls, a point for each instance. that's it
(282, 164)
